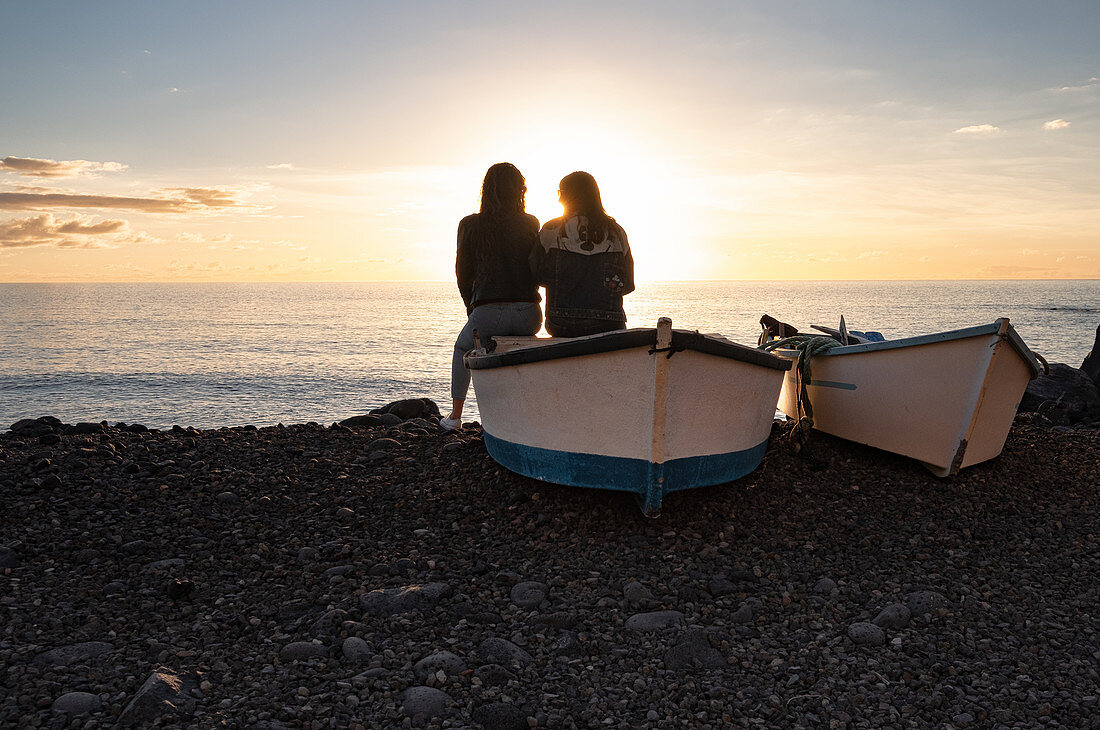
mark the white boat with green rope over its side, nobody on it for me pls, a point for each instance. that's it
(945, 400)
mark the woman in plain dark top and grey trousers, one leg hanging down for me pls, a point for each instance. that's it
(494, 274)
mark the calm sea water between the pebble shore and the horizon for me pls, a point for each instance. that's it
(228, 355)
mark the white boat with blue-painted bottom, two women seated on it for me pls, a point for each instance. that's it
(642, 411)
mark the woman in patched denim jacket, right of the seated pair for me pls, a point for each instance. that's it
(585, 262)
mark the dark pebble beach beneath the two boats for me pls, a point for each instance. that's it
(394, 576)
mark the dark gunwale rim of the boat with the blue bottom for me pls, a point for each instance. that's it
(626, 340)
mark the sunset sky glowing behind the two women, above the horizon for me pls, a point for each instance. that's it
(344, 141)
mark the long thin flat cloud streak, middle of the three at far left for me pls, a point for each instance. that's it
(184, 201)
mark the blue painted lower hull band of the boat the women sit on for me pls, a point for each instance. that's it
(648, 481)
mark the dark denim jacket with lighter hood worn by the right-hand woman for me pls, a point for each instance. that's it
(586, 280)
